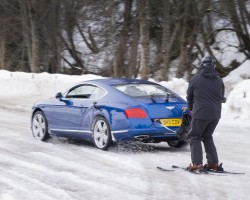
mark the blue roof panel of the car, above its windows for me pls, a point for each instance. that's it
(120, 81)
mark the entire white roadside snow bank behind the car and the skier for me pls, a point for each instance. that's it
(19, 90)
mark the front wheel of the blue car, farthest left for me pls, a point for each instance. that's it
(39, 126)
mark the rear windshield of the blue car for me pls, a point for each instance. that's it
(145, 90)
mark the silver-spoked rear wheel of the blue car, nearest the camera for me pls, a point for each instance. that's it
(101, 133)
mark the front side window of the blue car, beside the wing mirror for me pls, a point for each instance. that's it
(82, 91)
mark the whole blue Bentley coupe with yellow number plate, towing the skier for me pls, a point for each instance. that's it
(109, 110)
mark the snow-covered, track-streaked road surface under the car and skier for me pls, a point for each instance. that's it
(65, 170)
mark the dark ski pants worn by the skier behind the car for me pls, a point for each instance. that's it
(202, 131)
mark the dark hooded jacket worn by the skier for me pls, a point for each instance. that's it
(205, 94)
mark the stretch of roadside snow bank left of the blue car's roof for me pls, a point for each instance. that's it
(19, 90)
